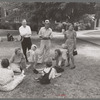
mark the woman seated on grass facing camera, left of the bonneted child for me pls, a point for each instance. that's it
(17, 61)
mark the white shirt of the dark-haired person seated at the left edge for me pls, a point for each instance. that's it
(6, 76)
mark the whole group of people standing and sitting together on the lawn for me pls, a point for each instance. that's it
(20, 61)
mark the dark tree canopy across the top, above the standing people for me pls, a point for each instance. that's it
(36, 12)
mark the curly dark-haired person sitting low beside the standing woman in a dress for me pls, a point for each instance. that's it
(60, 61)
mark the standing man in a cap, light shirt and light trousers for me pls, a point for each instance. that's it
(45, 35)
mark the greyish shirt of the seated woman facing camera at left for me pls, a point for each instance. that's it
(17, 59)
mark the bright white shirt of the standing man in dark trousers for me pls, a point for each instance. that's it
(25, 31)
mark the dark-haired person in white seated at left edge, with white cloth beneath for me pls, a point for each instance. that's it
(8, 81)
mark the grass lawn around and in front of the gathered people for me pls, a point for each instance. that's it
(82, 82)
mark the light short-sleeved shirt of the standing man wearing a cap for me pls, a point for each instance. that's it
(45, 32)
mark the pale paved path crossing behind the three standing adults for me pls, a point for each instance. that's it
(92, 36)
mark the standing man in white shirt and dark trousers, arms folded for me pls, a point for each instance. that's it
(25, 32)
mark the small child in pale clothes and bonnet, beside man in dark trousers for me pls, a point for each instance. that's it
(32, 56)
